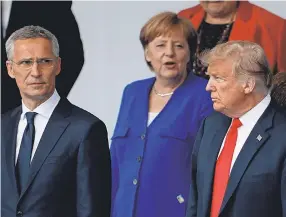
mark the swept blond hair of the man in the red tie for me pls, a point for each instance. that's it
(248, 57)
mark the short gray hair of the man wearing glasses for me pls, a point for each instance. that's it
(30, 32)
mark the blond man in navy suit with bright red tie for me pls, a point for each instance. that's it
(239, 158)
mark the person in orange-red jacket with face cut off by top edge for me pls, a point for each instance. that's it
(221, 21)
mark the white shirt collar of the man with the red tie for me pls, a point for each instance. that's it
(251, 117)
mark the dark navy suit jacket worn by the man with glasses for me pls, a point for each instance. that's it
(70, 173)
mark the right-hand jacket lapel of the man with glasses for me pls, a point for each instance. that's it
(53, 131)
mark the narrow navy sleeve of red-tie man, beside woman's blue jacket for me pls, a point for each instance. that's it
(193, 194)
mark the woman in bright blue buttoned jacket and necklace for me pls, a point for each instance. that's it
(157, 123)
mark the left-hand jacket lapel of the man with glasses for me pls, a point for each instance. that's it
(10, 130)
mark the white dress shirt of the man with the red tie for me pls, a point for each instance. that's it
(248, 120)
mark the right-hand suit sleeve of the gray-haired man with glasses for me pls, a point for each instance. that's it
(94, 174)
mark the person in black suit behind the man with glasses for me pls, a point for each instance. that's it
(56, 16)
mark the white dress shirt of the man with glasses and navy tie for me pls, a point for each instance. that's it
(44, 112)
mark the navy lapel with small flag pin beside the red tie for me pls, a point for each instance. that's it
(256, 139)
